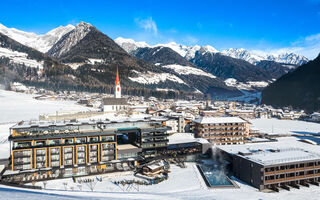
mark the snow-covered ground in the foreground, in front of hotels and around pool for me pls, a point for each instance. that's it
(182, 184)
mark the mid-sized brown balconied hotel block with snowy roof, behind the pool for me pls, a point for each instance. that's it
(222, 130)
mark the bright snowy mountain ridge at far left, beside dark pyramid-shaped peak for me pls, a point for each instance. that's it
(40, 42)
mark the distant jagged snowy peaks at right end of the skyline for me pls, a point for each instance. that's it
(284, 58)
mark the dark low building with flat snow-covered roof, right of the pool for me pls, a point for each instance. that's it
(266, 167)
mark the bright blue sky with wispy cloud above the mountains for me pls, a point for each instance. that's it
(270, 26)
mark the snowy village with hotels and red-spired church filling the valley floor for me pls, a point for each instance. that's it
(118, 144)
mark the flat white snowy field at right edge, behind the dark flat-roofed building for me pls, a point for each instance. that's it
(276, 126)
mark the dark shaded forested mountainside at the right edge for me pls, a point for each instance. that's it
(298, 89)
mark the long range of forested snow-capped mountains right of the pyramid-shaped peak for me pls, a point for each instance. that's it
(250, 71)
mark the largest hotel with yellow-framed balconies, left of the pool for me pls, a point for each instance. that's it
(56, 150)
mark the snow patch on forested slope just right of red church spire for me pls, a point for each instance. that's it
(154, 78)
